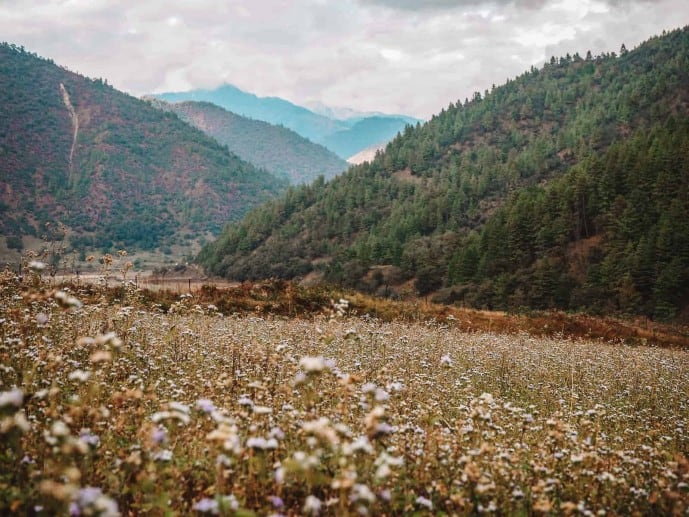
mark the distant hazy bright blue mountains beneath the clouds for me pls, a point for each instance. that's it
(345, 137)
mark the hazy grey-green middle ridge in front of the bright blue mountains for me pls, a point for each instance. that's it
(277, 149)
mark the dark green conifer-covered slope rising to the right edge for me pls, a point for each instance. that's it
(567, 187)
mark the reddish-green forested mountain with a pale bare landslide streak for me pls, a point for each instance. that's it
(113, 169)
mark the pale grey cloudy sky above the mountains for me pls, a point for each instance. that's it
(396, 56)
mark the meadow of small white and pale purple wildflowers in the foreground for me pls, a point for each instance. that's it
(112, 404)
